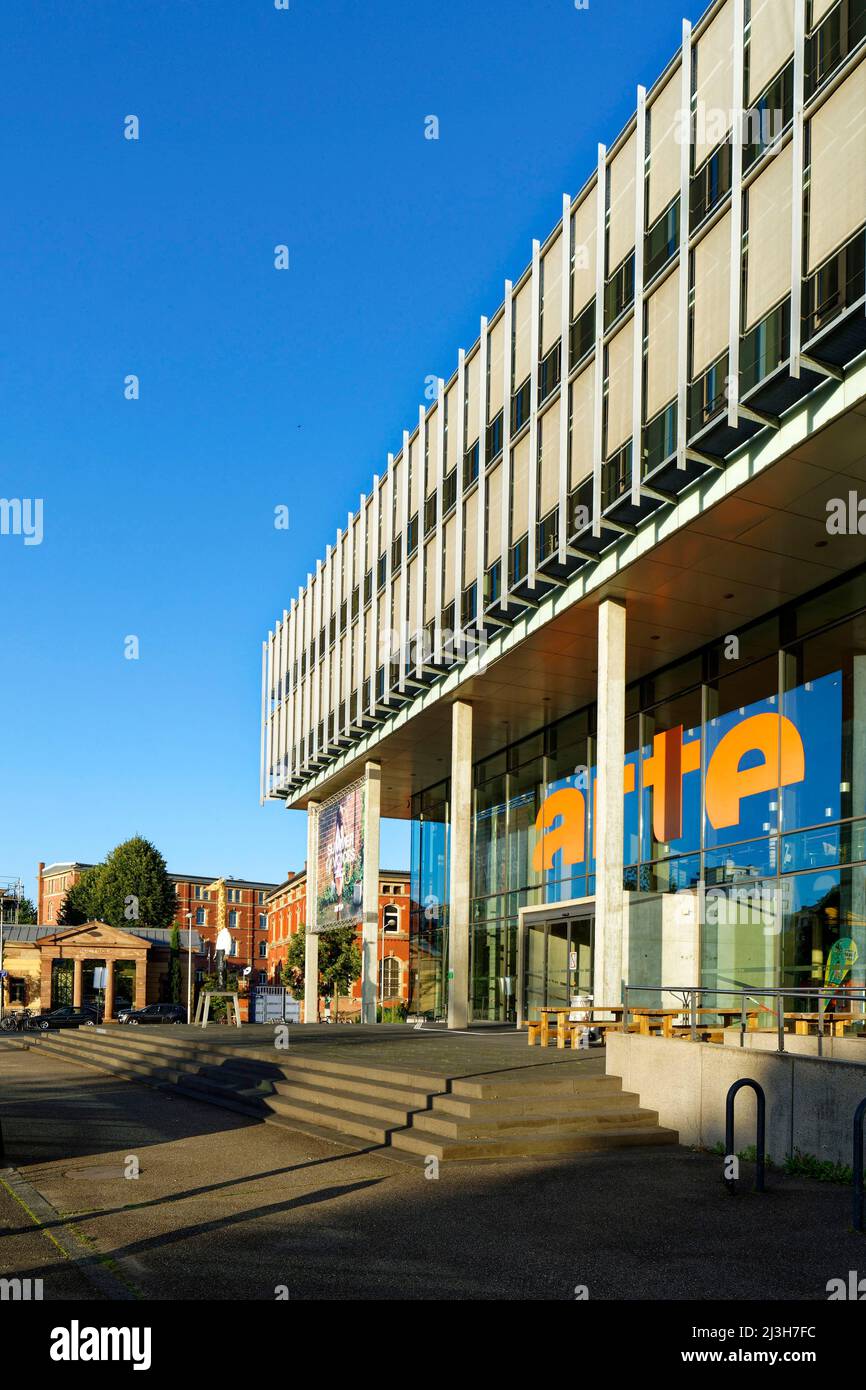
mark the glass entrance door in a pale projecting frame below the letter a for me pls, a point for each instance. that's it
(555, 956)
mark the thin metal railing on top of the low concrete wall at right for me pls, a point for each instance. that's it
(694, 995)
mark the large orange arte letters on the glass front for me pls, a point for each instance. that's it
(760, 754)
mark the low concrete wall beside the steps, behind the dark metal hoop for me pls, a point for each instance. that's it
(811, 1102)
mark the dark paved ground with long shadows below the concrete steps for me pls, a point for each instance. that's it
(229, 1209)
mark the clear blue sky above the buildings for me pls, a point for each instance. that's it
(258, 387)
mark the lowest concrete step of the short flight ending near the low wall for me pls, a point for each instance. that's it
(539, 1143)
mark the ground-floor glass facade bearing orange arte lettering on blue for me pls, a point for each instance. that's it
(744, 782)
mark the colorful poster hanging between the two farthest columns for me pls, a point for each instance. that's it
(341, 861)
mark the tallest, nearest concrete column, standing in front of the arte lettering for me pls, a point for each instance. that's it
(611, 755)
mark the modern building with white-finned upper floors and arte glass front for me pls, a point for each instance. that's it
(601, 622)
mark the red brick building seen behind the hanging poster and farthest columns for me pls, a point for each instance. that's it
(287, 910)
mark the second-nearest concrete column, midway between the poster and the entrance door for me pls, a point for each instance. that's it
(459, 864)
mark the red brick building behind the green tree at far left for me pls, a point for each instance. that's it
(245, 911)
